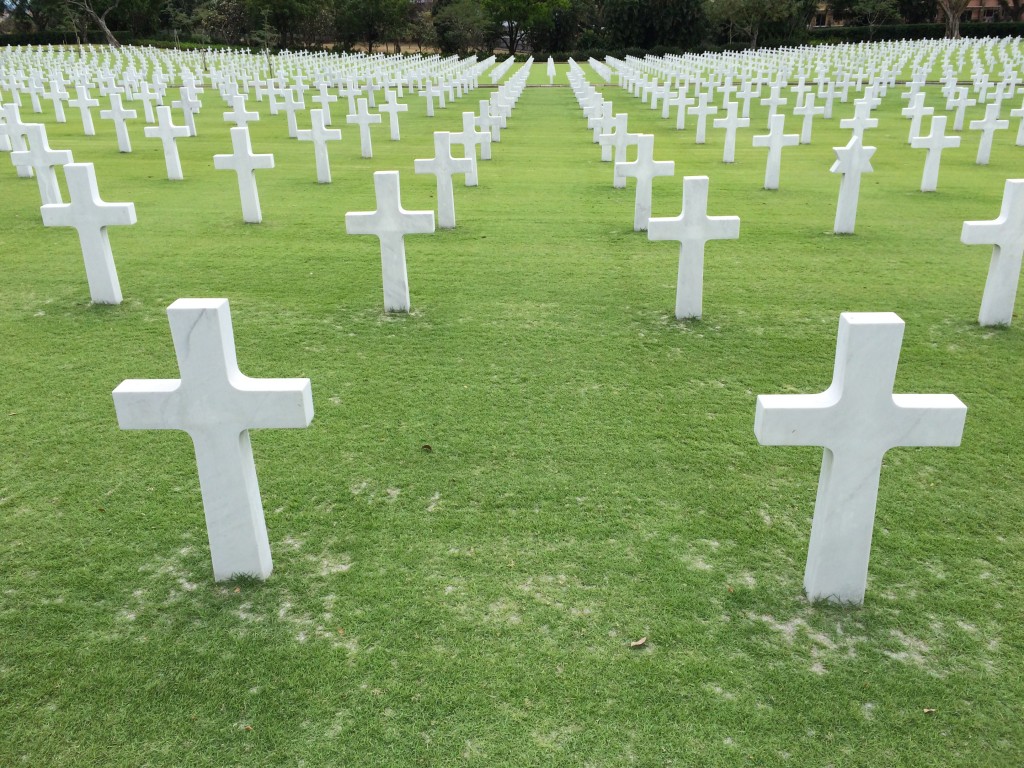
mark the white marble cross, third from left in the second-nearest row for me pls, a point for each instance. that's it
(693, 228)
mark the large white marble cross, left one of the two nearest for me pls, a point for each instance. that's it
(218, 405)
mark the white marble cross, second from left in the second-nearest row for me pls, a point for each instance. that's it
(391, 223)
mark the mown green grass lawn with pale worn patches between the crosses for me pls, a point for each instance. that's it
(593, 477)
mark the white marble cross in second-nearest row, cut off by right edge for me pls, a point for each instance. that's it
(1006, 235)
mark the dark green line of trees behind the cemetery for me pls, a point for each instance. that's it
(467, 26)
